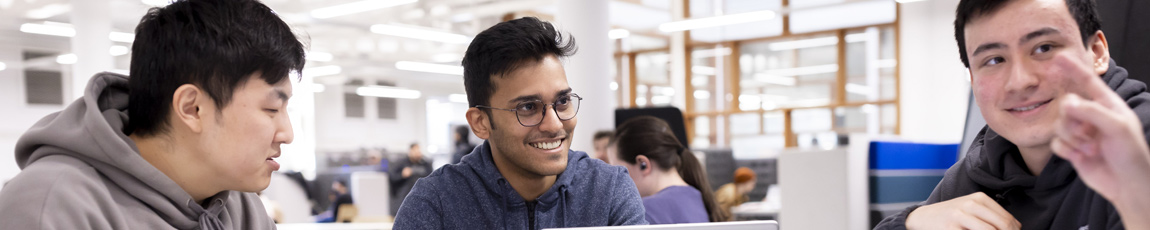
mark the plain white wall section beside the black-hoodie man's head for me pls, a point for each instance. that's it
(934, 87)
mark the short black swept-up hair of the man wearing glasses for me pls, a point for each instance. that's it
(504, 49)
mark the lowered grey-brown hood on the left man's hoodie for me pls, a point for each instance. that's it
(91, 129)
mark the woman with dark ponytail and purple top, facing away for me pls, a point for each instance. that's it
(670, 179)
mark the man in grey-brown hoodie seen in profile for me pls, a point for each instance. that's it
(182, 144)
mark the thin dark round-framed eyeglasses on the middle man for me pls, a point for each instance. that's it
(532, 113)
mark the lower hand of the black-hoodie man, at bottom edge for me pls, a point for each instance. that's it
(975, 211)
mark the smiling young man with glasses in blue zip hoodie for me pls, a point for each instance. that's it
(524, 177)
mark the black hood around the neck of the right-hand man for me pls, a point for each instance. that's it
(1000, 166)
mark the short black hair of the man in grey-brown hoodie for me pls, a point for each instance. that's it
(212, 44)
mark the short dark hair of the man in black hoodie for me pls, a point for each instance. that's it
(1085, 13)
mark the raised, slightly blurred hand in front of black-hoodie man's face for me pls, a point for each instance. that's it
(1100, 135)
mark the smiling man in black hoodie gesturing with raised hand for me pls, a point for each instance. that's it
(1064, 149)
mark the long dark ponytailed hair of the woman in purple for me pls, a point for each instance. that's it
(653, 137)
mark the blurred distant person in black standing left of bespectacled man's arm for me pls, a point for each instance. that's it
(404, 174)
